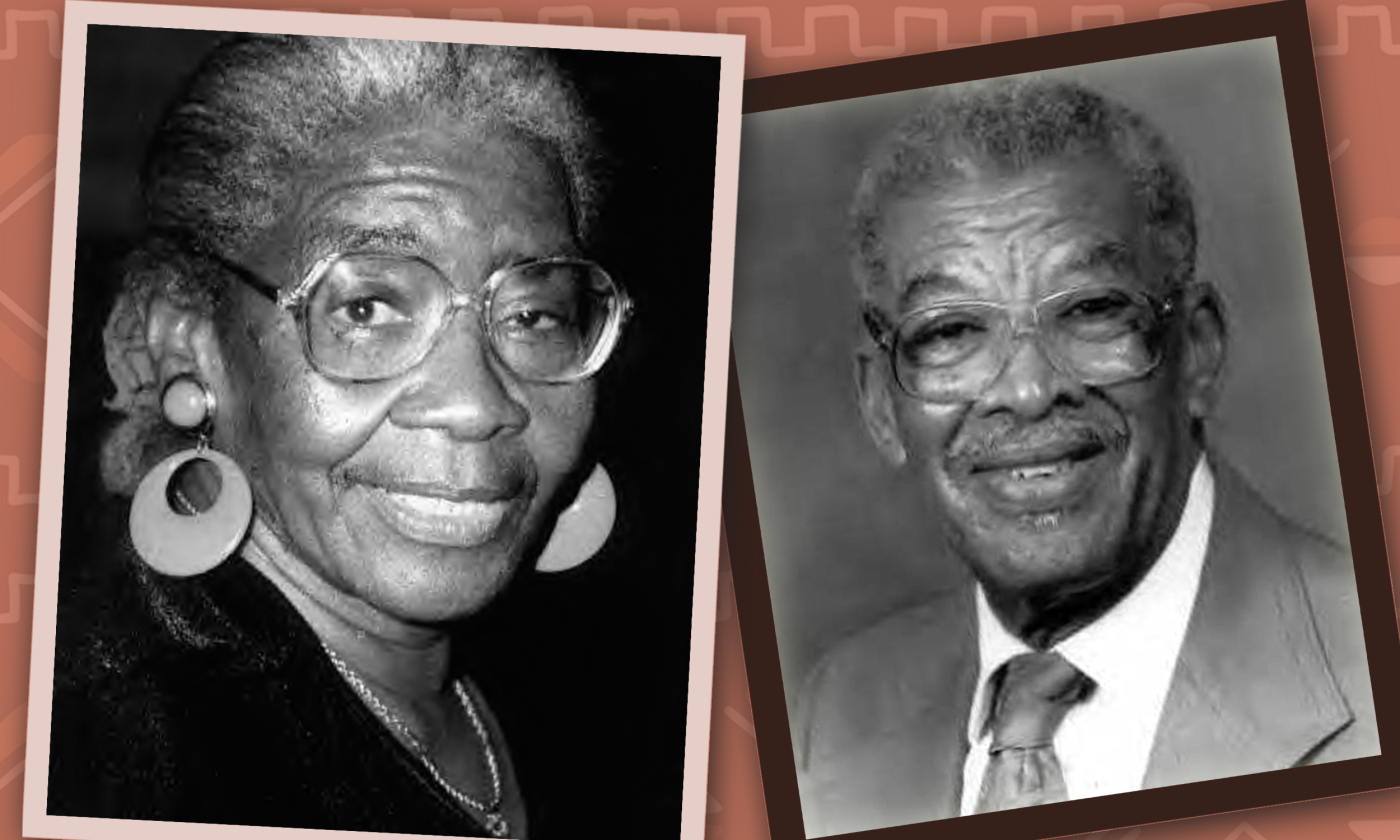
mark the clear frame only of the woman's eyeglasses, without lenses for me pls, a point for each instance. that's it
(295, 300)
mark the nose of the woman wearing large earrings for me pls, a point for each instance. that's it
(461, 390)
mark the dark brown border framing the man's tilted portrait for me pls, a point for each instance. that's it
(1287, 22)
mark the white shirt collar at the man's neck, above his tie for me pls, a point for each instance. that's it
(1154, 615)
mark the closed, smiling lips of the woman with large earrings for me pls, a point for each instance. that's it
(444, 517)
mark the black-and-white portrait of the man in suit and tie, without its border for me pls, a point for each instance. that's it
(1042, 451)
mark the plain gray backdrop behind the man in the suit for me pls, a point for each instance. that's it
(845, 537)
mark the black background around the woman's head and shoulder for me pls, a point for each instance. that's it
(587, 670)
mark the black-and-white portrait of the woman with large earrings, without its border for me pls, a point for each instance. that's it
(383, 436)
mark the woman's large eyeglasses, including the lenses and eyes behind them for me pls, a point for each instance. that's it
(373, 317)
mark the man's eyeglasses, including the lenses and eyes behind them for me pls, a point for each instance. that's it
(951, 353)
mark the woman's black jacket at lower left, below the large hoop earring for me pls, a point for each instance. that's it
(209, 701)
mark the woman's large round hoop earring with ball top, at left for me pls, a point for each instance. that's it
(188, 544)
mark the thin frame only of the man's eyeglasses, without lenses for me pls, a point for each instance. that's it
(884, 334)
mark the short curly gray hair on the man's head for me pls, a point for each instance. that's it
(1004, 128)
